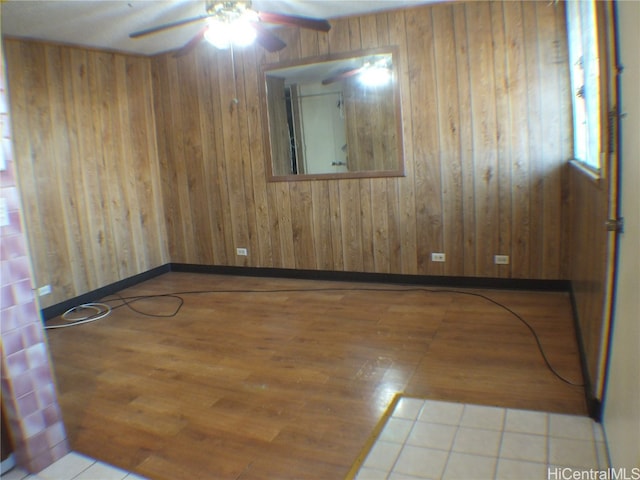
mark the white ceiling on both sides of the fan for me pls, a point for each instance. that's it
(106, 24)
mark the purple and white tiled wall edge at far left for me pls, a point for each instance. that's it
(28, 390)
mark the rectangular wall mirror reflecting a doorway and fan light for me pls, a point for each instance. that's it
(335, 116)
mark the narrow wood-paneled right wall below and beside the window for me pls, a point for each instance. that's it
(593, 201)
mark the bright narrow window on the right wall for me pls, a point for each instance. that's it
(585, 80)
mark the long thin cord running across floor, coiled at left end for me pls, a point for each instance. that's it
(129, 301)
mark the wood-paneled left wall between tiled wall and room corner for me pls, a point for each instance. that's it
(87, 161)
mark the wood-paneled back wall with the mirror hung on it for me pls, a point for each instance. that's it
(487, 132)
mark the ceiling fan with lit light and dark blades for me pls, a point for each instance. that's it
(235, 22)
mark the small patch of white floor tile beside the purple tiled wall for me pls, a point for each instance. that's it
(74, 466)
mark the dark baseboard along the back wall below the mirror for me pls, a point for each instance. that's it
(439, 281)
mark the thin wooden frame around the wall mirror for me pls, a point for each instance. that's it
(267, 67)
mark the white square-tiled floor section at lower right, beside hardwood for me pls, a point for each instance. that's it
(426, 439)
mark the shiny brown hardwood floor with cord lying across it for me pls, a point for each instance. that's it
(289, 385)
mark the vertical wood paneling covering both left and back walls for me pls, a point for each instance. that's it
(484, 123)
